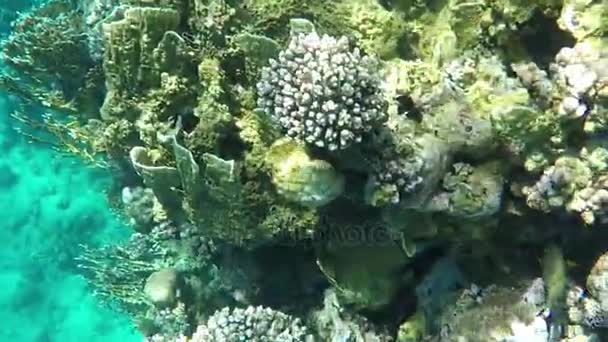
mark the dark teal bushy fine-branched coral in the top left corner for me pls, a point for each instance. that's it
(48, 61)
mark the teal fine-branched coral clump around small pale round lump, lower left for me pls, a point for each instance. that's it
(149, 275)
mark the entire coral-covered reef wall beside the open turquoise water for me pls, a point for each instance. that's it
(365, 170)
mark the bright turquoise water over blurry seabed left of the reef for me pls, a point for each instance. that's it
(50, 206)
